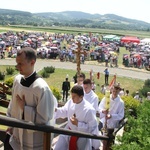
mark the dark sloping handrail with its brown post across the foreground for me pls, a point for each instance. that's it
(47, 130)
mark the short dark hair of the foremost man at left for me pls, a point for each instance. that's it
(29, 52)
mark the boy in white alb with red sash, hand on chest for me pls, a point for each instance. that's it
(81, 117)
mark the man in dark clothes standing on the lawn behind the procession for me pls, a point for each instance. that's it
(65, 88)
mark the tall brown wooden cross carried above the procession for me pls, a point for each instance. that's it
(78, 53)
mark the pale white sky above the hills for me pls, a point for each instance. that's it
(133, 9)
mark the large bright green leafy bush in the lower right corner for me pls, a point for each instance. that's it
(136, 135)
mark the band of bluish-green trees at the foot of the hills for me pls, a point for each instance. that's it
(82, 24)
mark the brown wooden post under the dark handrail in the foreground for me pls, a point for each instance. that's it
(47, 141)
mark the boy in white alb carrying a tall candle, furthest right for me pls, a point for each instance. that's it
(111, 116)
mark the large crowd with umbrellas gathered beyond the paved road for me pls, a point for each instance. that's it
(63, 46)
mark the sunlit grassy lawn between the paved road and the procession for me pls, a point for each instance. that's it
(56, 79)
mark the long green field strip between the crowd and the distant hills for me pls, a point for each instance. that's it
(140, 34)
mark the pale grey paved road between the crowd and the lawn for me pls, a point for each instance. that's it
(120, 71)
